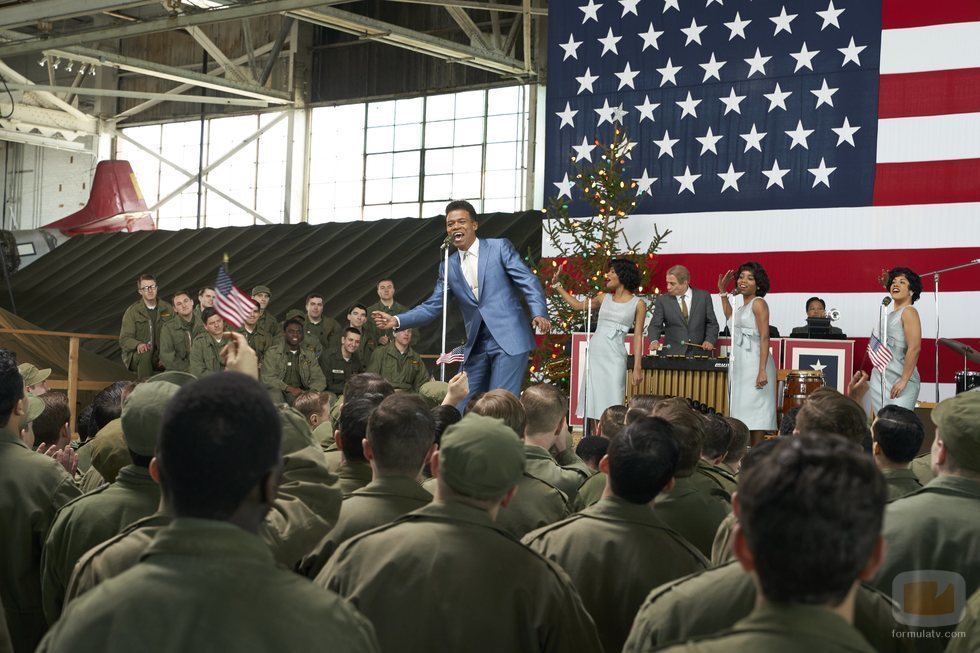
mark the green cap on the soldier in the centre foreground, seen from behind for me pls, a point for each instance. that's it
(481, 457)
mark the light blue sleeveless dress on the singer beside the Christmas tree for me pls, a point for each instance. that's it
(606, 376)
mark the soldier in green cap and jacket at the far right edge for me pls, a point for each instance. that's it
(936, 527)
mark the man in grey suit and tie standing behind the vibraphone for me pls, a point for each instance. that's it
(683, 314)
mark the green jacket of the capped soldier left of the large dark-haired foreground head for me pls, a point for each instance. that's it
(90, 520)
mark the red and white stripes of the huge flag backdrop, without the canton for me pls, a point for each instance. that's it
(925, 213)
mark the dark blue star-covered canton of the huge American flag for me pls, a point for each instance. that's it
(731, 104)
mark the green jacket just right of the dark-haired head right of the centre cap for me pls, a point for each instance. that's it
(693, 511)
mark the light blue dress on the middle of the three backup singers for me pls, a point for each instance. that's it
(755, 407)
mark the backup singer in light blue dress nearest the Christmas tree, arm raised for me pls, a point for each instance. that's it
(619, 311)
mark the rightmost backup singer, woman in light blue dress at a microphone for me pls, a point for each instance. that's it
(899, 385)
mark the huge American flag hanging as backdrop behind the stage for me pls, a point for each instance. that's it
(827, 139)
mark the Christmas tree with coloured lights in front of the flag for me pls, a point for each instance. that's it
(584, 247)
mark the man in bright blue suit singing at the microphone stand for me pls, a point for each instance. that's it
(488, 279)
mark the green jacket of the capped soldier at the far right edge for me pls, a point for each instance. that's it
(937, 527)
